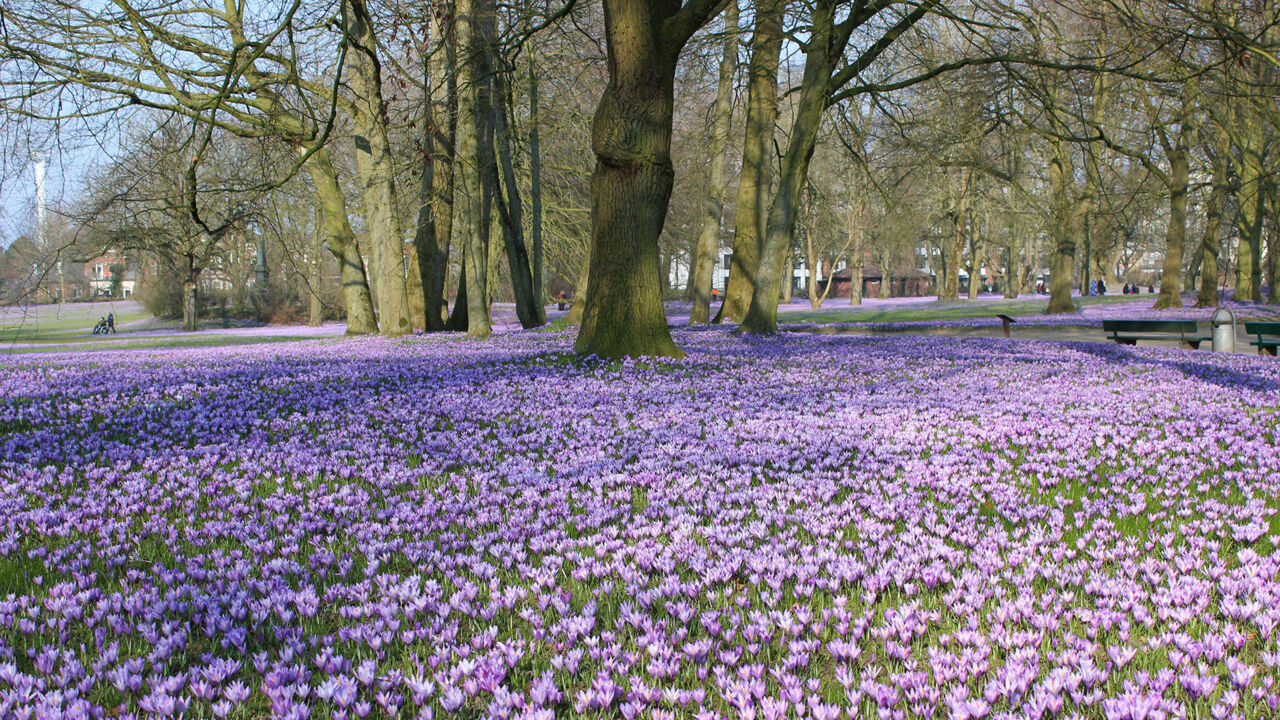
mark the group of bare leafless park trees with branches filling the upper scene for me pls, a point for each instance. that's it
(438, 151)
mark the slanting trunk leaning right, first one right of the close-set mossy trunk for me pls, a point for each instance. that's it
(762, 317)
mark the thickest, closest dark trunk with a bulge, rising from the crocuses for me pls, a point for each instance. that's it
(634, 176)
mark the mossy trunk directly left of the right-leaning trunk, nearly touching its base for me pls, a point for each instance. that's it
(753, 189)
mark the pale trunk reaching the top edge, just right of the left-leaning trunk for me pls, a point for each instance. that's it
(377, 171)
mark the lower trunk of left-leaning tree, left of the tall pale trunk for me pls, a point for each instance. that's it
(341, 241)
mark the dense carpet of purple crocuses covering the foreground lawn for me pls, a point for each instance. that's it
(801, 527)
